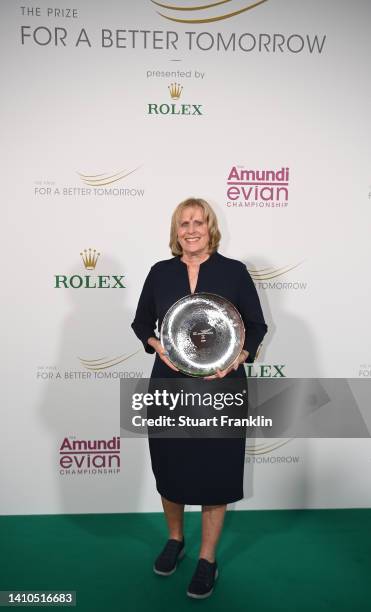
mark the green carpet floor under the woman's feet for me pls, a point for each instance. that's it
(289, 560)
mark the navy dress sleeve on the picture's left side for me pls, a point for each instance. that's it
(145, 319)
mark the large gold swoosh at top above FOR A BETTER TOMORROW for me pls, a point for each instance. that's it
(206, 12)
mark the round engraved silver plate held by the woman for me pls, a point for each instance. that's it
(202, 332)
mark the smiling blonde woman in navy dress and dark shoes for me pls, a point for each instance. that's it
(209, 471)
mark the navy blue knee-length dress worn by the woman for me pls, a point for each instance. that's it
(201, 471)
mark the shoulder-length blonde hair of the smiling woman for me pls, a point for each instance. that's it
(210, 218)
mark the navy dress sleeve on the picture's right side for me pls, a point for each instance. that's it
(251, 313)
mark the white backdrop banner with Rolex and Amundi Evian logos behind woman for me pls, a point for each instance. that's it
(115, 112)
